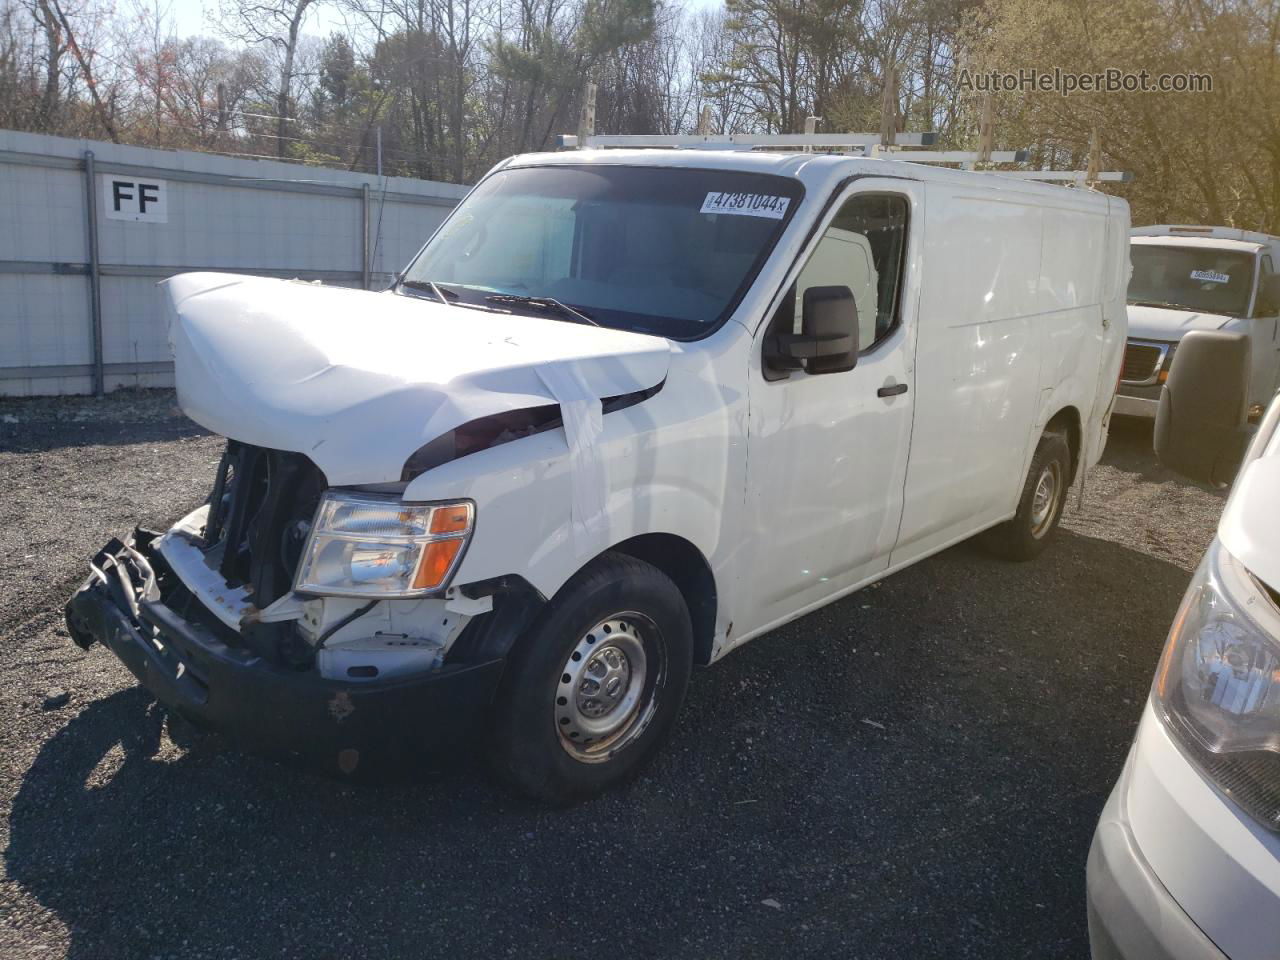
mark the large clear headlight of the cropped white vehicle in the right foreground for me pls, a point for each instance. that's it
(1218, 688)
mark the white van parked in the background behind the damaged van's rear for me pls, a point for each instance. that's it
(1200, 278)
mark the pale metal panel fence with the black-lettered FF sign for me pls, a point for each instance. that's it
(157, 213)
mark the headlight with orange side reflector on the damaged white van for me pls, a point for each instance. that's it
(368, 546)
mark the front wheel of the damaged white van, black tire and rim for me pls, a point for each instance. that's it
(616, 605)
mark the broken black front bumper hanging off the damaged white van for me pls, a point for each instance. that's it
(285, 714)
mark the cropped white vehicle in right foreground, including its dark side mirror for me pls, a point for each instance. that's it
(1186, 860)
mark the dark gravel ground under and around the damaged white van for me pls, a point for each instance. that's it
(915, 771)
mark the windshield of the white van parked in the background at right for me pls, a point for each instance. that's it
(1192, 278)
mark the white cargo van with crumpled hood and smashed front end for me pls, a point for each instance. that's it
(625, 412)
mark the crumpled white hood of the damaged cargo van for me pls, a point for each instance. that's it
(359, 382)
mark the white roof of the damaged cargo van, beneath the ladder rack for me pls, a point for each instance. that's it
(819, 172)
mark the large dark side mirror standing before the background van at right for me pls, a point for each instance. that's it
(1201, 422)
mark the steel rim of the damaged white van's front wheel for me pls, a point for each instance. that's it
(607, 689)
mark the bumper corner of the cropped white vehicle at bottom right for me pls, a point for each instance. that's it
(1132, 917)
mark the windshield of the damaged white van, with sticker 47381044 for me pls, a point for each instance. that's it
(653, 250)
